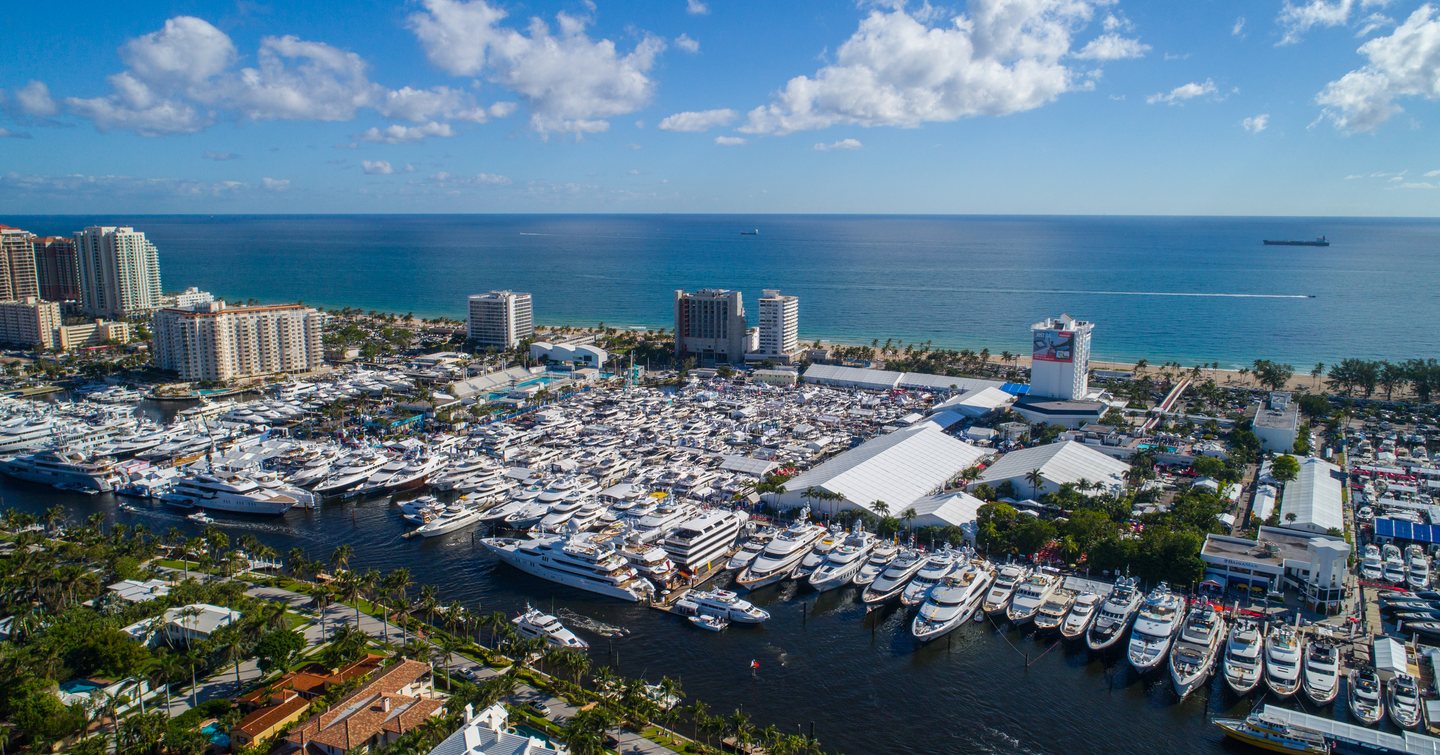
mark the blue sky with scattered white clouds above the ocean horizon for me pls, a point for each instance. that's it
(1291, 107)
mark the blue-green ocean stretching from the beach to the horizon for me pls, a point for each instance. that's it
(1164, 289)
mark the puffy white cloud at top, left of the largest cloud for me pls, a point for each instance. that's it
(571, 83)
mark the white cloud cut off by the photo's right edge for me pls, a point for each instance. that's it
(1402, 64)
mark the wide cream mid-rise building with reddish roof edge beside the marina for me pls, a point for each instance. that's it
(212, 342)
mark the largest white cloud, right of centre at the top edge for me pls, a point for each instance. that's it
(1003, 57)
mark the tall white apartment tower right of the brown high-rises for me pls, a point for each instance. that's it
(120, 272)
